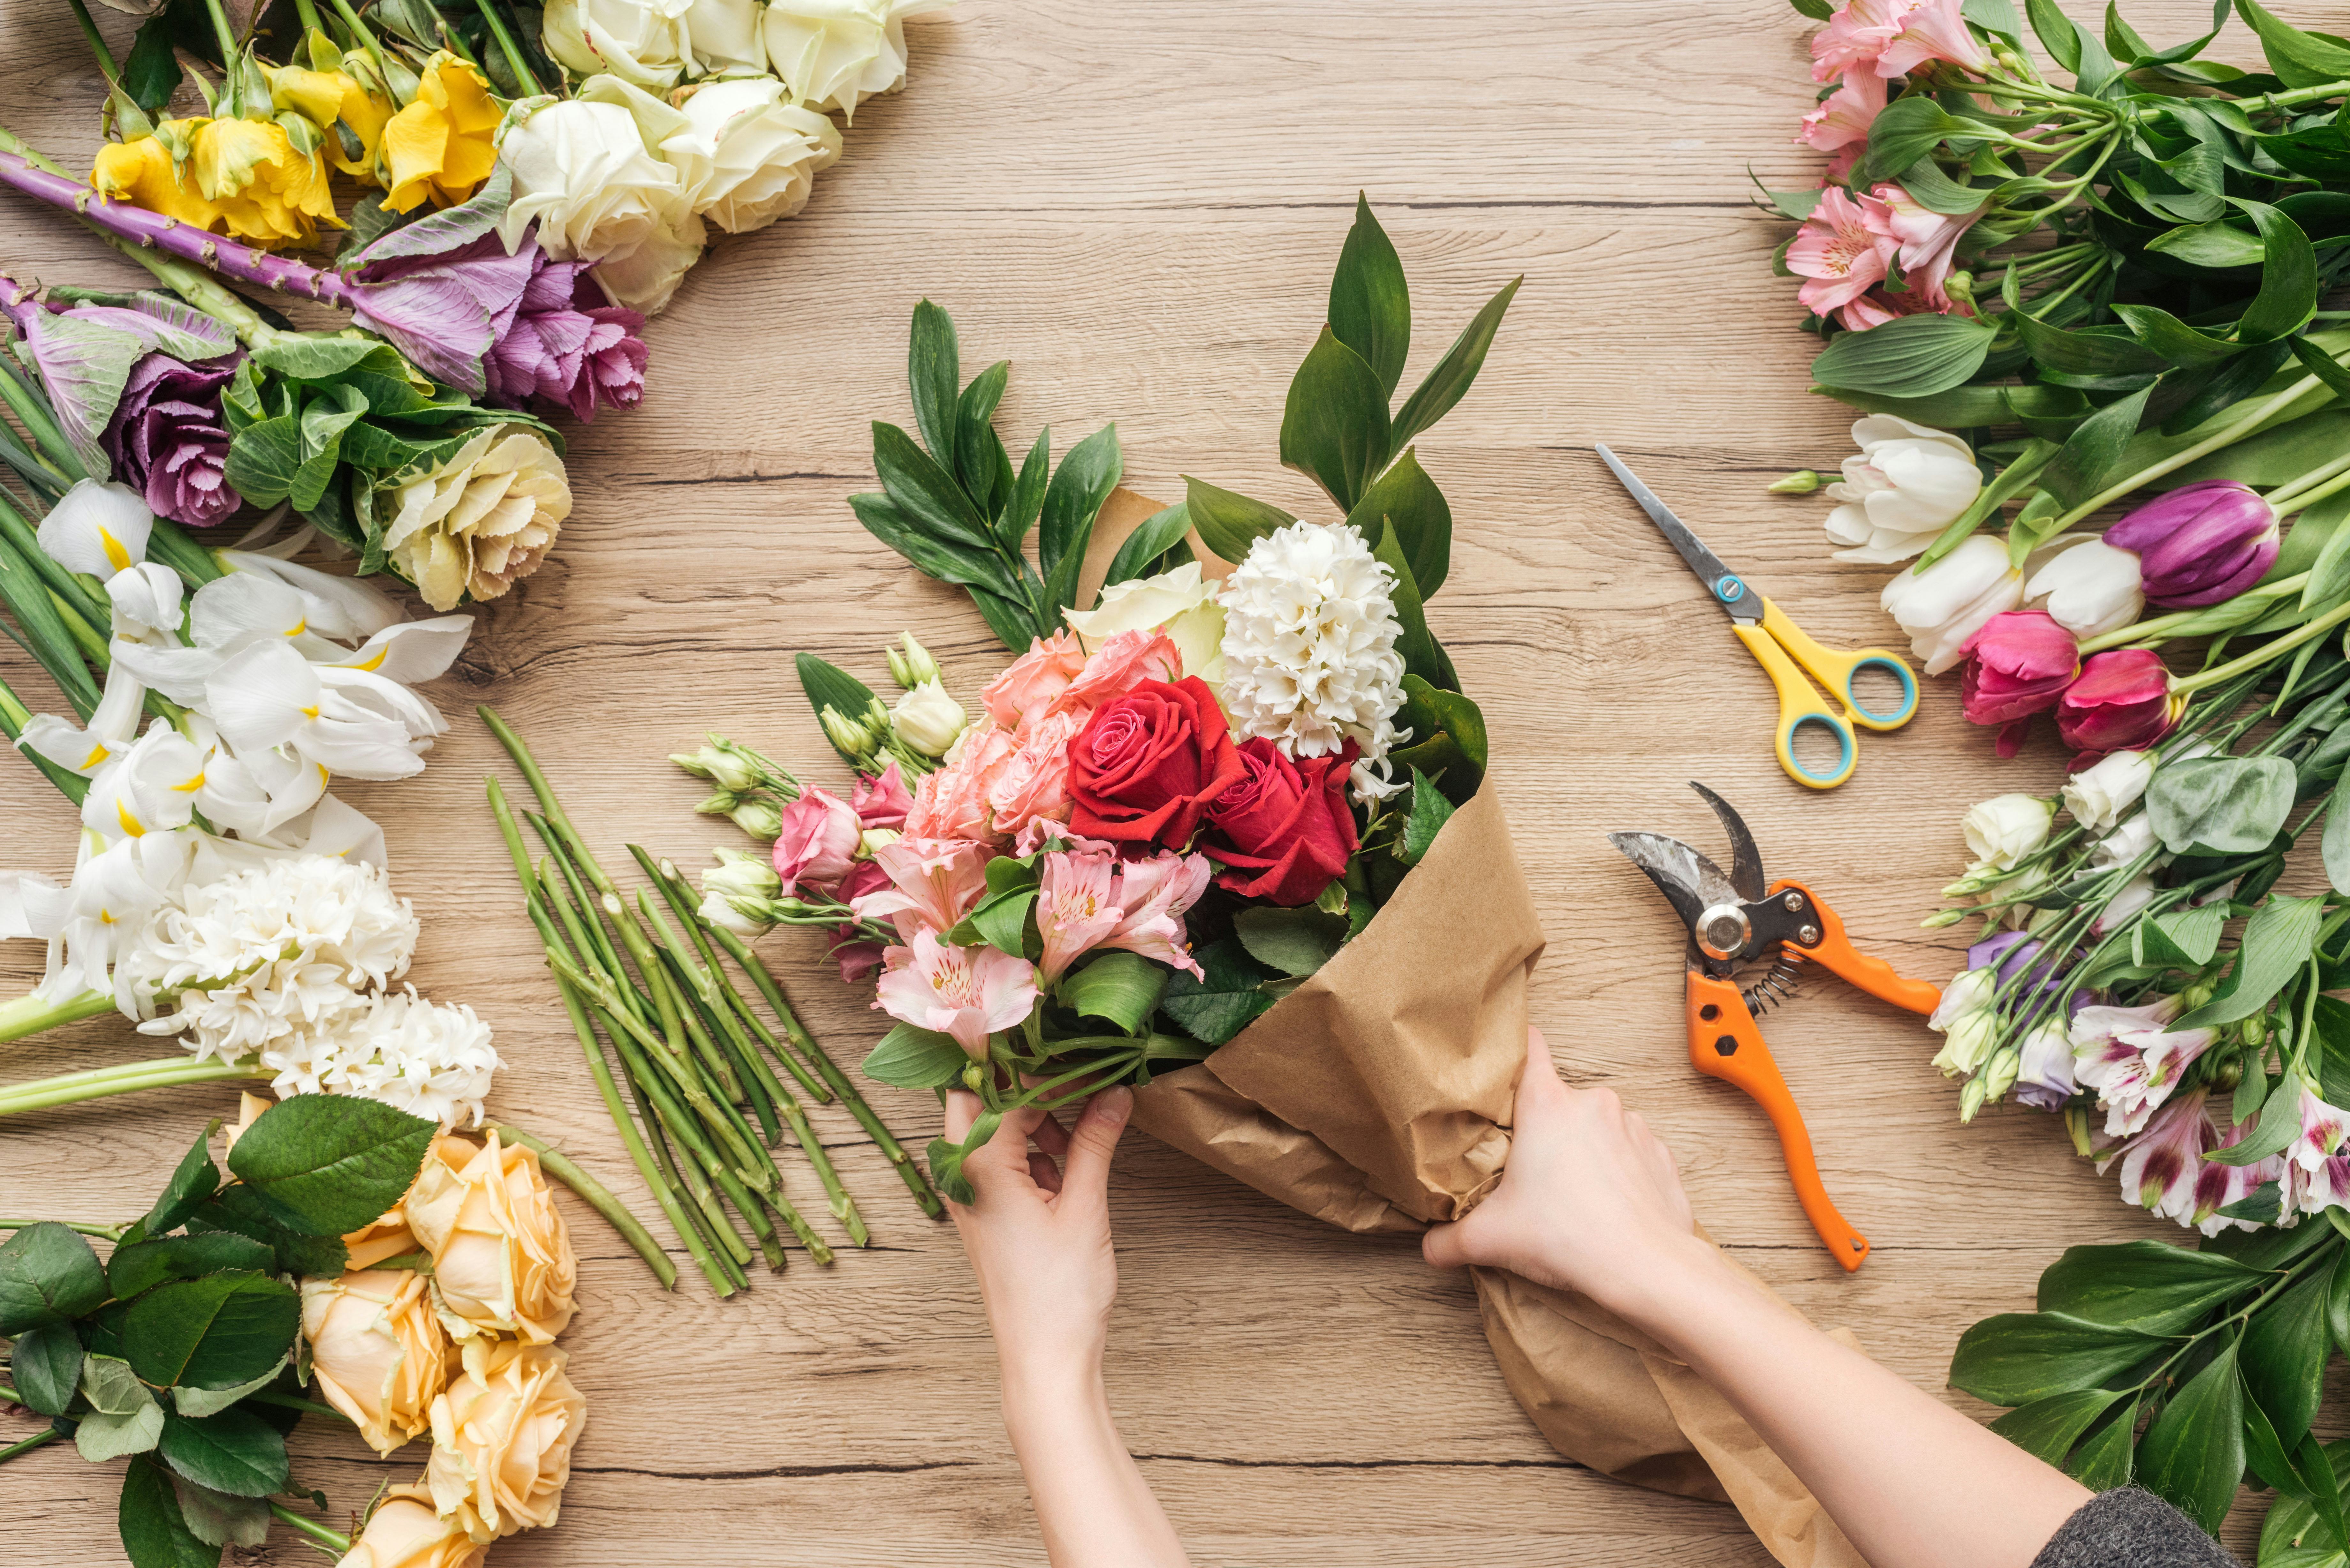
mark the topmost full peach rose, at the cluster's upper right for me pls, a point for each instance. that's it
(502, 1257)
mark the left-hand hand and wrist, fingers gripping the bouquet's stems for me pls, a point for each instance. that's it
(1040, 1235)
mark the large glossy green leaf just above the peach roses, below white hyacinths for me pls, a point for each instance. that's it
(330, 1165)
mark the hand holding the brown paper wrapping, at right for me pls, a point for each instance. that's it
(1590, 1200)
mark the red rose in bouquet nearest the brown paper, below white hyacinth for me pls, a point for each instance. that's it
(1284, 833)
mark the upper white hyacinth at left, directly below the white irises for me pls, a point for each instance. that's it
(269, 956)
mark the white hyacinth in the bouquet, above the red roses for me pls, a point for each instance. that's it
(1310, 648)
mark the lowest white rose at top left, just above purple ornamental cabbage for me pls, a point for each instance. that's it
(584, 173)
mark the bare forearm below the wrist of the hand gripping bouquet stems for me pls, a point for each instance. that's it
(1092, 1501)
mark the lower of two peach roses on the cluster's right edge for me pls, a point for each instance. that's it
(502, 1440)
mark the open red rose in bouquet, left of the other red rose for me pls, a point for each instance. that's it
(1148, 765)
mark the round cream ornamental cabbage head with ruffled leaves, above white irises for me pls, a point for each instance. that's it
(483, 521)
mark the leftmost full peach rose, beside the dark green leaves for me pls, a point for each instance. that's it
(377, 1351)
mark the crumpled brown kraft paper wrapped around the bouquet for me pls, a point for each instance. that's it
(1378, 1097)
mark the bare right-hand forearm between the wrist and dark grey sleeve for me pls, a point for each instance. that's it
(1912, 1482)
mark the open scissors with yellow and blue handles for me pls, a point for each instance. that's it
(1780, 645)
